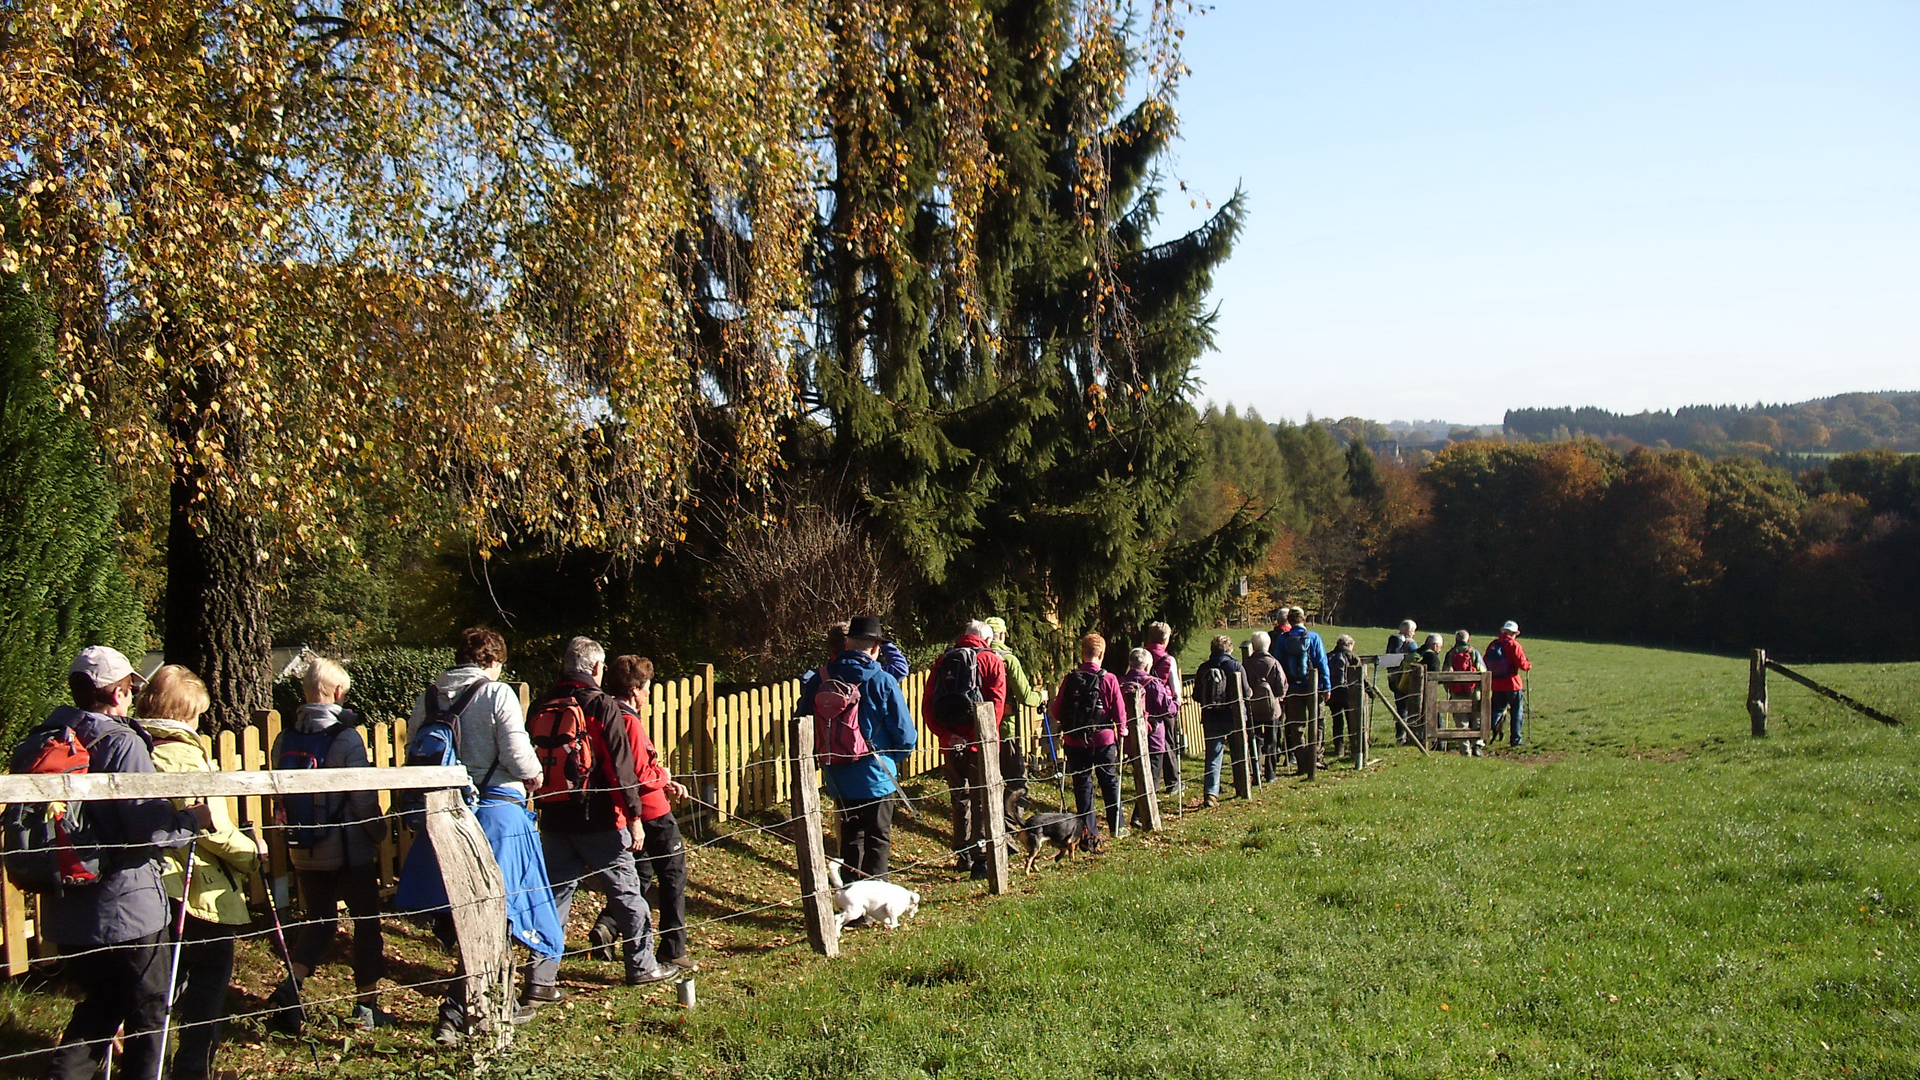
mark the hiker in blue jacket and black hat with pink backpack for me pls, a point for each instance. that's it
(867, 789)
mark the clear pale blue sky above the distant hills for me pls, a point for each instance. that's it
(1466, 207)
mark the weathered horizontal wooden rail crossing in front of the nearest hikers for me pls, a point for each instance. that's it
(55, 789)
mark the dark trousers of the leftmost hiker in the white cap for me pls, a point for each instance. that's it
(120, 987)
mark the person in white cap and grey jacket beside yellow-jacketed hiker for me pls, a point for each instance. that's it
(128, 904)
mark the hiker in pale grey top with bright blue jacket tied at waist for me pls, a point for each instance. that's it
(473, 720)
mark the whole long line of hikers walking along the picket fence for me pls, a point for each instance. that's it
(153, 893)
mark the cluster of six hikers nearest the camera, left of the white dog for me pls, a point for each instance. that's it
(149, 896)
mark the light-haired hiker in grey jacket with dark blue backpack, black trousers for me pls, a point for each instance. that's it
(335, 847)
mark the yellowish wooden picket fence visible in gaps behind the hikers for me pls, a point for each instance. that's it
(731, 752)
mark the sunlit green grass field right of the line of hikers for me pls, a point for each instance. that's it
(1641, 893)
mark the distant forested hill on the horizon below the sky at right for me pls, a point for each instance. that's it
(1825, 426)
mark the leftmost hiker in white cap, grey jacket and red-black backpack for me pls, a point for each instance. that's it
(97, 871)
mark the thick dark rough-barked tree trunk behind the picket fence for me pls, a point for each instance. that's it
(216, 606)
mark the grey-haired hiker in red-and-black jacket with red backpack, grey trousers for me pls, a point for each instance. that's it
(590, 814)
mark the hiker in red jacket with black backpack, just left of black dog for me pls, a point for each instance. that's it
(948, 710)
